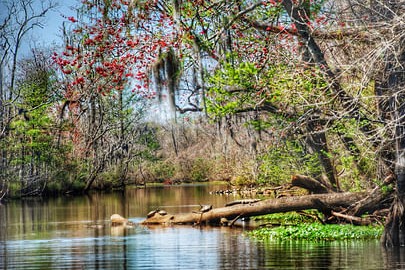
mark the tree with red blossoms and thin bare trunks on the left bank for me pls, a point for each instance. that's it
(106, 64)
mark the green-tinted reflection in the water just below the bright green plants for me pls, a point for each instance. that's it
(320, 255)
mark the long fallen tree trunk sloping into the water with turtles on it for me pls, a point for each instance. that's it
(269, 206)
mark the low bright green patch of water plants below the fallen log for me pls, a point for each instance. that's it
(318, 232)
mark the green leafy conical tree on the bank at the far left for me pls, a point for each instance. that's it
(34, 156)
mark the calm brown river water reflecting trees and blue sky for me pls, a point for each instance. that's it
(74, 233)
